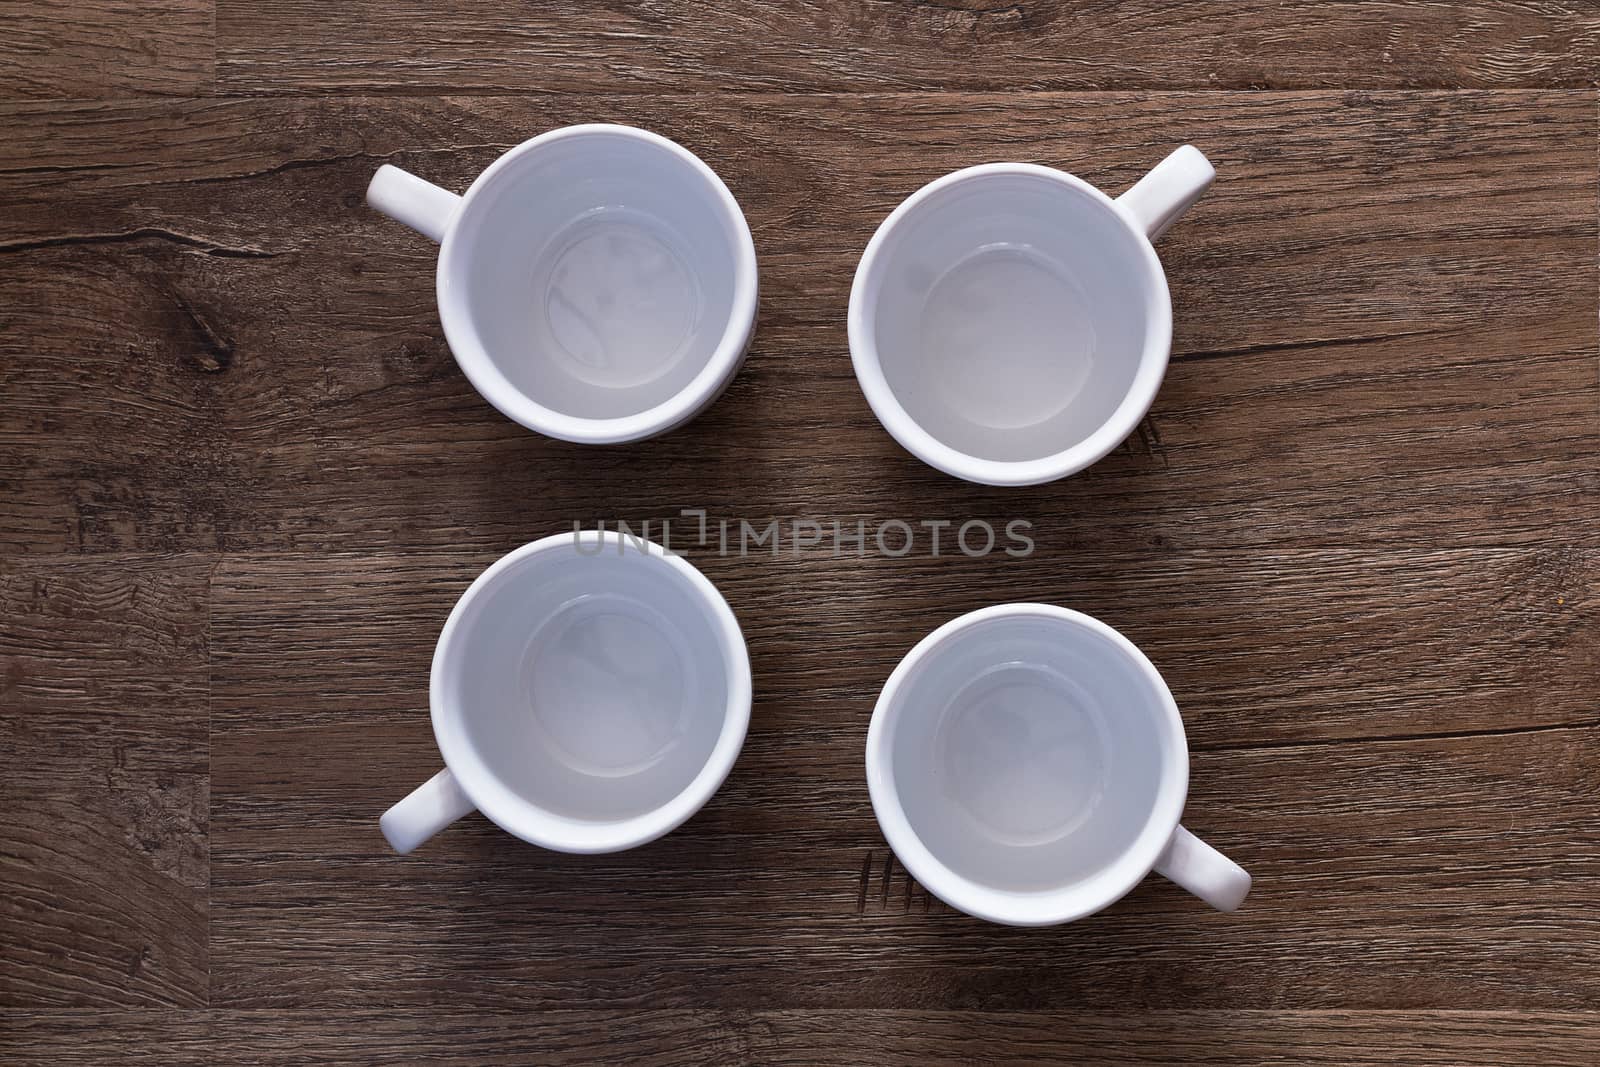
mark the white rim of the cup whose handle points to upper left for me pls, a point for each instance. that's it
(492, 383)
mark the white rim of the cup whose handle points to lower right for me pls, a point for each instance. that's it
(1012, 908)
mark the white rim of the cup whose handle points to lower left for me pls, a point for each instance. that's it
(535, 825)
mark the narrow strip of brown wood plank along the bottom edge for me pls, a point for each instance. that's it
(708, 1039)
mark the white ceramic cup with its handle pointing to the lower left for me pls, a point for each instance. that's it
(590, 693)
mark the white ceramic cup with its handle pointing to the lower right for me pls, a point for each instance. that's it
(1028, 767)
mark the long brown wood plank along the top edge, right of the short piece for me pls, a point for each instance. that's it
(628, 46)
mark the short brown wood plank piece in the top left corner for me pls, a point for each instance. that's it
(106, 49)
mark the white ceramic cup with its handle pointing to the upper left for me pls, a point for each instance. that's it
(596, 284)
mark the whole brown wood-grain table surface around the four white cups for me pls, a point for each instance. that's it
(242, 482)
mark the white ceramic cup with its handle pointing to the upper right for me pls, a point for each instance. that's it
(1010, 324)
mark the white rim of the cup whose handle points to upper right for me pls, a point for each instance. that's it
(1010, 473)
